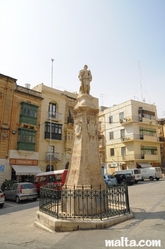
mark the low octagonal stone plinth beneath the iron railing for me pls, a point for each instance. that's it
(51, 224)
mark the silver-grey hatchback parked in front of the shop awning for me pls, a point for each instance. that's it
(21, 191)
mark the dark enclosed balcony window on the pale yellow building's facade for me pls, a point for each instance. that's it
(56, 131)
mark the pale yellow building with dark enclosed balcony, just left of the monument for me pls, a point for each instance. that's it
(56, 127)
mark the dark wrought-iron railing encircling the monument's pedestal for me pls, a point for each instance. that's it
(97, 204)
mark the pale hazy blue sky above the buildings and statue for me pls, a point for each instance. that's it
(121, 41)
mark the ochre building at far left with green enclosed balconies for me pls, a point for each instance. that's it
(19, 130)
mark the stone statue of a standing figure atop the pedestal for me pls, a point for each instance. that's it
(85, 77)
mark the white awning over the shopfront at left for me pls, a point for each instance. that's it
(26, 170)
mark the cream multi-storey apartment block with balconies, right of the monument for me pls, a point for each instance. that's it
(130, 136)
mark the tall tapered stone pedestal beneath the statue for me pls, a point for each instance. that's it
(85, 169)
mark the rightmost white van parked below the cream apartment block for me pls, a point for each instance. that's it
(151, 173)
